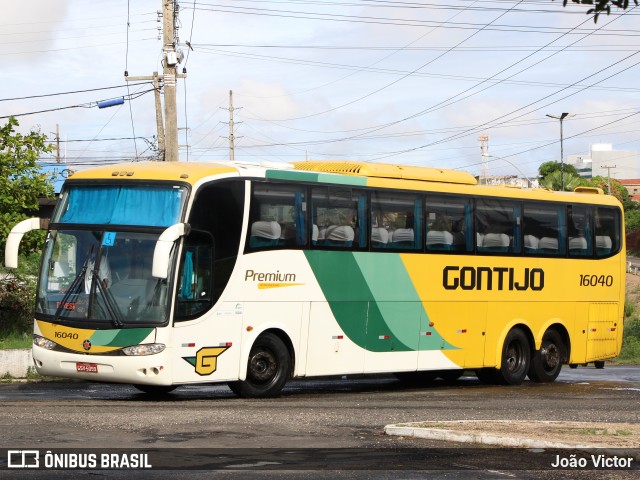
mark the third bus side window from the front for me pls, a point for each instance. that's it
(396, 221)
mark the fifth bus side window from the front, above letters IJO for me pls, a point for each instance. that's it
(499, 226)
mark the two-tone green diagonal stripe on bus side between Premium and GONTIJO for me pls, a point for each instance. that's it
(376, 314)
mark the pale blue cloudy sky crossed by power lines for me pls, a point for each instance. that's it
(411, 82)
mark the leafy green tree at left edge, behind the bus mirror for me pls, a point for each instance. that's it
(21, 182)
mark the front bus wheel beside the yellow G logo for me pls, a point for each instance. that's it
(268, 369)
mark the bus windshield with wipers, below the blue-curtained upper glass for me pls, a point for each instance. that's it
(103, 277)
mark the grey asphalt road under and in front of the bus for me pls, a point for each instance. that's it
(316, 428)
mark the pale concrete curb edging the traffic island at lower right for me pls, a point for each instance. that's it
(407, 430)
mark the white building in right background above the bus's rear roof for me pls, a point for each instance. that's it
(602, 160)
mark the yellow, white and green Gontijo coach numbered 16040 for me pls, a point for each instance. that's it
(166, 274)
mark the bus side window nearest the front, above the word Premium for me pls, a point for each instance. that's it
(277, 217)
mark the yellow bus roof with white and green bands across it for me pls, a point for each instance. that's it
(335, 172)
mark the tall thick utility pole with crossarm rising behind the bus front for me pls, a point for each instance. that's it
(167, 134)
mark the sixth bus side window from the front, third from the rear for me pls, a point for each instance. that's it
(545, 231)
